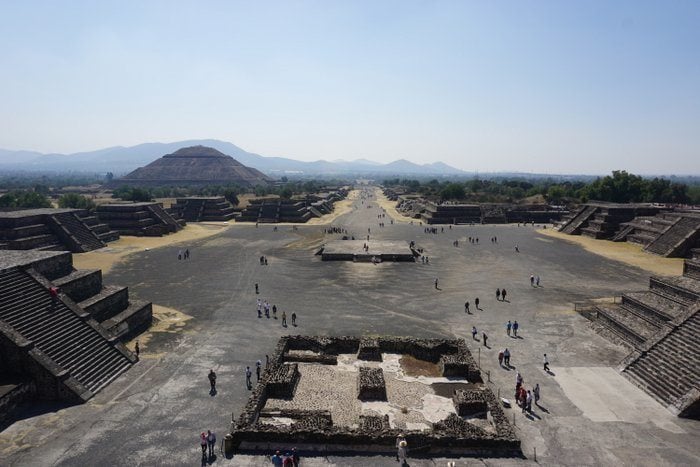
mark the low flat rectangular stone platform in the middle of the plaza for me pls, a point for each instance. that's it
(353, 250)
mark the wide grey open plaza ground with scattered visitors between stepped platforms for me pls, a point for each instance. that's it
(206, 318)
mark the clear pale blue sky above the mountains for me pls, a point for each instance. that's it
(535, 86)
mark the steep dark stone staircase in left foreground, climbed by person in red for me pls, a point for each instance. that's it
(59, 331)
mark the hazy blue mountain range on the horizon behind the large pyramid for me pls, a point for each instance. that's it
(120, 160)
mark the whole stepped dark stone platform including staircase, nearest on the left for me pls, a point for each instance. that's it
(68, 346)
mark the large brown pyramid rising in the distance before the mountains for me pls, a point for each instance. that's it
(195, 165)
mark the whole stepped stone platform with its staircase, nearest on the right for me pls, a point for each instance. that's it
(662, 327)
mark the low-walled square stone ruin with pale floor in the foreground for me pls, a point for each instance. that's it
(316, 392)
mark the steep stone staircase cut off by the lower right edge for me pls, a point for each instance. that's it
(669, 371)
